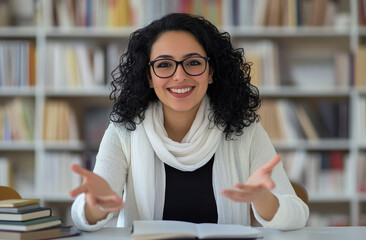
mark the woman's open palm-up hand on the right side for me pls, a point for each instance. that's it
(258, 185)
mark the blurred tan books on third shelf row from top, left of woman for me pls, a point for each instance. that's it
(60, 122)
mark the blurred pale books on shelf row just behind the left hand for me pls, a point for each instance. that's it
(57, 177)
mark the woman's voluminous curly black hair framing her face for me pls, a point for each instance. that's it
(233, 99)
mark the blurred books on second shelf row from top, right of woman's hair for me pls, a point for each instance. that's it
(309, 68)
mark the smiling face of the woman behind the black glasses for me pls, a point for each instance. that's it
(180, 92)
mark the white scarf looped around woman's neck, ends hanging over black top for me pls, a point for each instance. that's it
(151, 147)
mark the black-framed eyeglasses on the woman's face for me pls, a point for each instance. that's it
(193, 66)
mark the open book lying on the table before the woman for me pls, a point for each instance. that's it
(148, 230)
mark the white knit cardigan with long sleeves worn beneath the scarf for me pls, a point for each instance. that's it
(253, 149)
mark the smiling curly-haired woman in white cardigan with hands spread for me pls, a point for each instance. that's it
(184, 140)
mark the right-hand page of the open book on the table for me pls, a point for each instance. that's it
(210, 230)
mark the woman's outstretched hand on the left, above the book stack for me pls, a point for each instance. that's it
(97, 191)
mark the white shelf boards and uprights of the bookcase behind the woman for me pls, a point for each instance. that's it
(349, 38)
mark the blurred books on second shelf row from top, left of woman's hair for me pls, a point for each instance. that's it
(68, 66)
